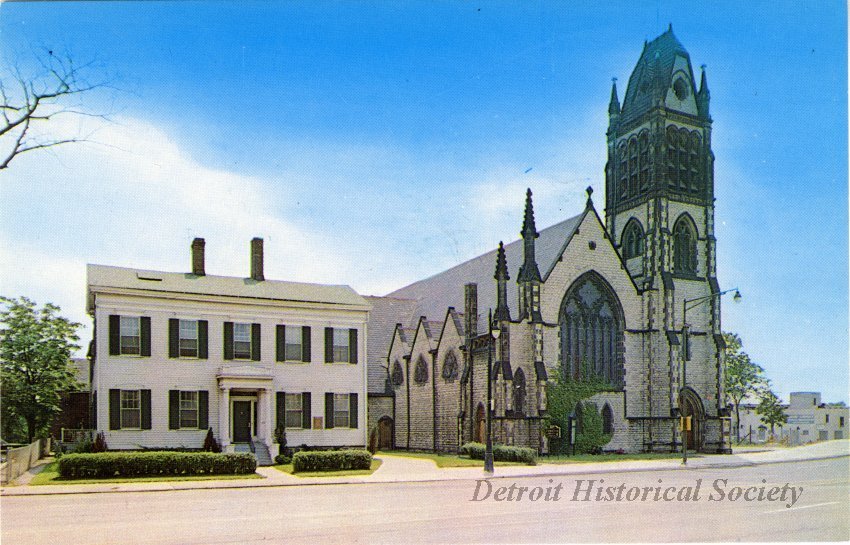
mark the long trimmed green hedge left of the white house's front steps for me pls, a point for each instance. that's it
(151, 464)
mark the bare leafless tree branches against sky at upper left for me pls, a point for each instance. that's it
(41, 98)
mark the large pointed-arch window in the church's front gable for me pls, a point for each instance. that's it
(591, 327)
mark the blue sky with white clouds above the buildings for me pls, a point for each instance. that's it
(374, 144)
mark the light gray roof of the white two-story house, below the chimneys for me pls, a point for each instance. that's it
(105, 277)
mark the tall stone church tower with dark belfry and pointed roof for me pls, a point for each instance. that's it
(659, 207)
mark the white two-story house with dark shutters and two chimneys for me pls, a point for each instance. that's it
(178, 353)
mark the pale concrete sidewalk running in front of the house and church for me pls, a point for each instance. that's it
(402, 469)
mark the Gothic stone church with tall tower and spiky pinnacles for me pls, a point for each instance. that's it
(584, 295)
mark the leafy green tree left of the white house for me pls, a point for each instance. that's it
(35, 361)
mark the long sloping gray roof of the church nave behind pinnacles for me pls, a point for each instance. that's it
(434, 295)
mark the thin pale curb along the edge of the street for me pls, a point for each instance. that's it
(28, 490)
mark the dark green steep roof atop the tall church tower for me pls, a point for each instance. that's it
(653, 74)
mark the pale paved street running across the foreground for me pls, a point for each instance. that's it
(439, 512)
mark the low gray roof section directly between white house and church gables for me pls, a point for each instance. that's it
(386, 313)
